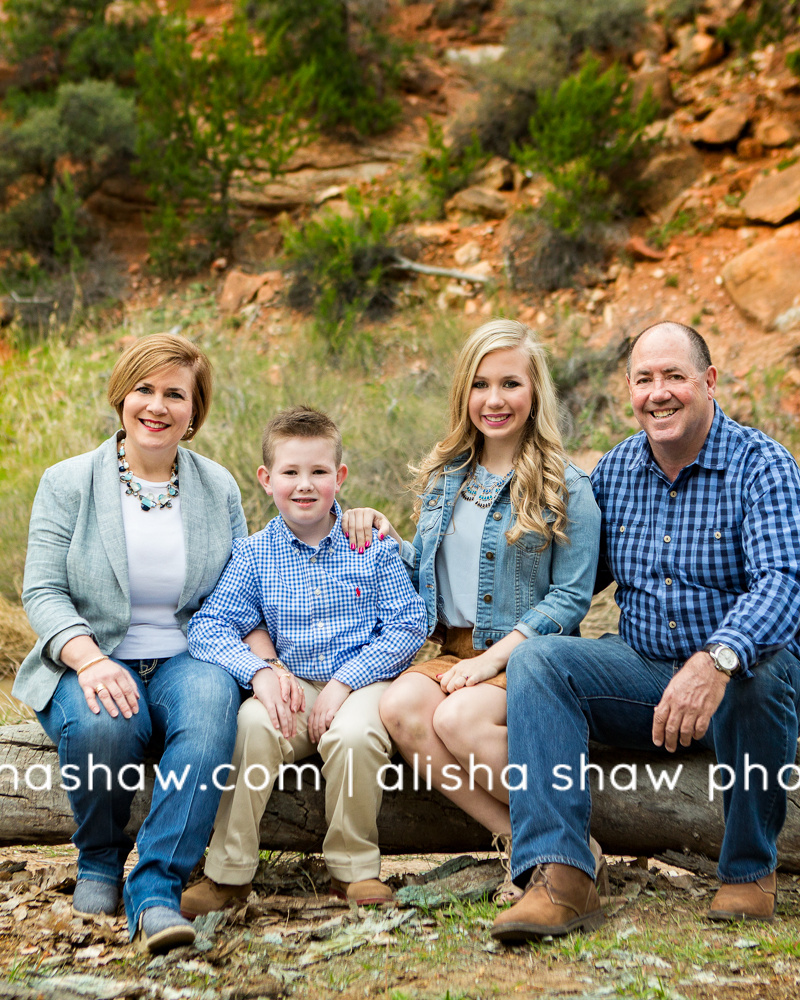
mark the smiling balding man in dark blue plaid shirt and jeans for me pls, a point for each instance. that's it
(701, 532)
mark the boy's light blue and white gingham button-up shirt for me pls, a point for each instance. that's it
(330, 612)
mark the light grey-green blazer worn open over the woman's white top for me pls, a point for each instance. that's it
(76, 570)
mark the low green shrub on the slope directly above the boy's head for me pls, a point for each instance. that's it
(340, 267)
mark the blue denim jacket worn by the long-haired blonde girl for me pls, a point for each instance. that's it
(521, 586)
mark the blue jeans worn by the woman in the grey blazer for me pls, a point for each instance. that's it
(192, 706)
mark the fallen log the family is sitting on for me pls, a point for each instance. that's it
(635, 811)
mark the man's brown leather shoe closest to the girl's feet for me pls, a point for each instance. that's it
(558, 899)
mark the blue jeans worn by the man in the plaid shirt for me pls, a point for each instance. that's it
(564, 691)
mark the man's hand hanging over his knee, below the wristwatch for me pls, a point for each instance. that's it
(689, 701)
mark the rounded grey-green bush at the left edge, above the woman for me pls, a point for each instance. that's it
(54, 158)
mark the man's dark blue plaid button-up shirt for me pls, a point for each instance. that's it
(712, 557)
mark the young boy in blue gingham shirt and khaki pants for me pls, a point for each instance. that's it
(344, 625)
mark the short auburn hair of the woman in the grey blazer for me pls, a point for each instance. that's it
(151, 354)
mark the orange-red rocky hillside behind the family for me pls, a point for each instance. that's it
(718, 248)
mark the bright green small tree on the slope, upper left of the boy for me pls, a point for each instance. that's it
(205, 119)
